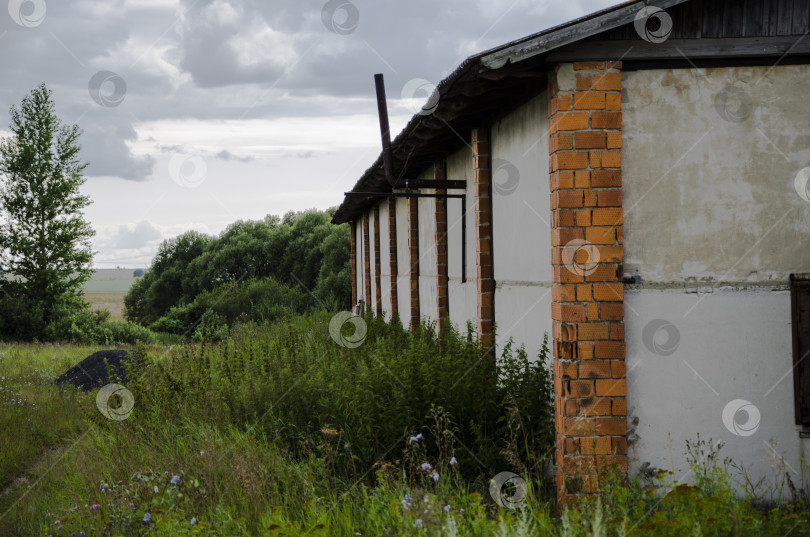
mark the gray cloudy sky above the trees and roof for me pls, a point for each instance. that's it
(197, 113)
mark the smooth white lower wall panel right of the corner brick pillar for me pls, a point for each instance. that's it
(714, 349)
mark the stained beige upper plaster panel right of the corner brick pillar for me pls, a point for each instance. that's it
(708, 198)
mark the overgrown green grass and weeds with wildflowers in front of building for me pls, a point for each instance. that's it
(280, 431)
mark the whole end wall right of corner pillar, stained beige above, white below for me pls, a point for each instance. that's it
(713, 227)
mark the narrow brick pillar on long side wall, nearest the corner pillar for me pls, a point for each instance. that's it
(482, 181)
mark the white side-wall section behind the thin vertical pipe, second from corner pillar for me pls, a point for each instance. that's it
(462, 295)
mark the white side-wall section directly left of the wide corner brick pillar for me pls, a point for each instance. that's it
(521, 233)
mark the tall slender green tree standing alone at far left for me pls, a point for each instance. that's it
(44, 237)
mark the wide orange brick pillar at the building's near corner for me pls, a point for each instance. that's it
(585, 122)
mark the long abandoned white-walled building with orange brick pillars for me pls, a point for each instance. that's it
(633, 183)
